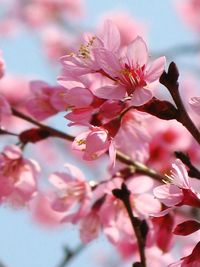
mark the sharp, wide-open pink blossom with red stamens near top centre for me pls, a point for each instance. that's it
(130, 71)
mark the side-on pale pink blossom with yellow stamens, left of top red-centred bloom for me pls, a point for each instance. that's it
(83, 61)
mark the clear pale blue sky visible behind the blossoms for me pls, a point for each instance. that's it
(23, 243)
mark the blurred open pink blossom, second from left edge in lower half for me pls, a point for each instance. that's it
(73, 194)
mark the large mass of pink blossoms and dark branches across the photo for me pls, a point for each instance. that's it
(107, 89)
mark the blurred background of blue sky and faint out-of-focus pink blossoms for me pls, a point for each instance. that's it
(32, 38)
